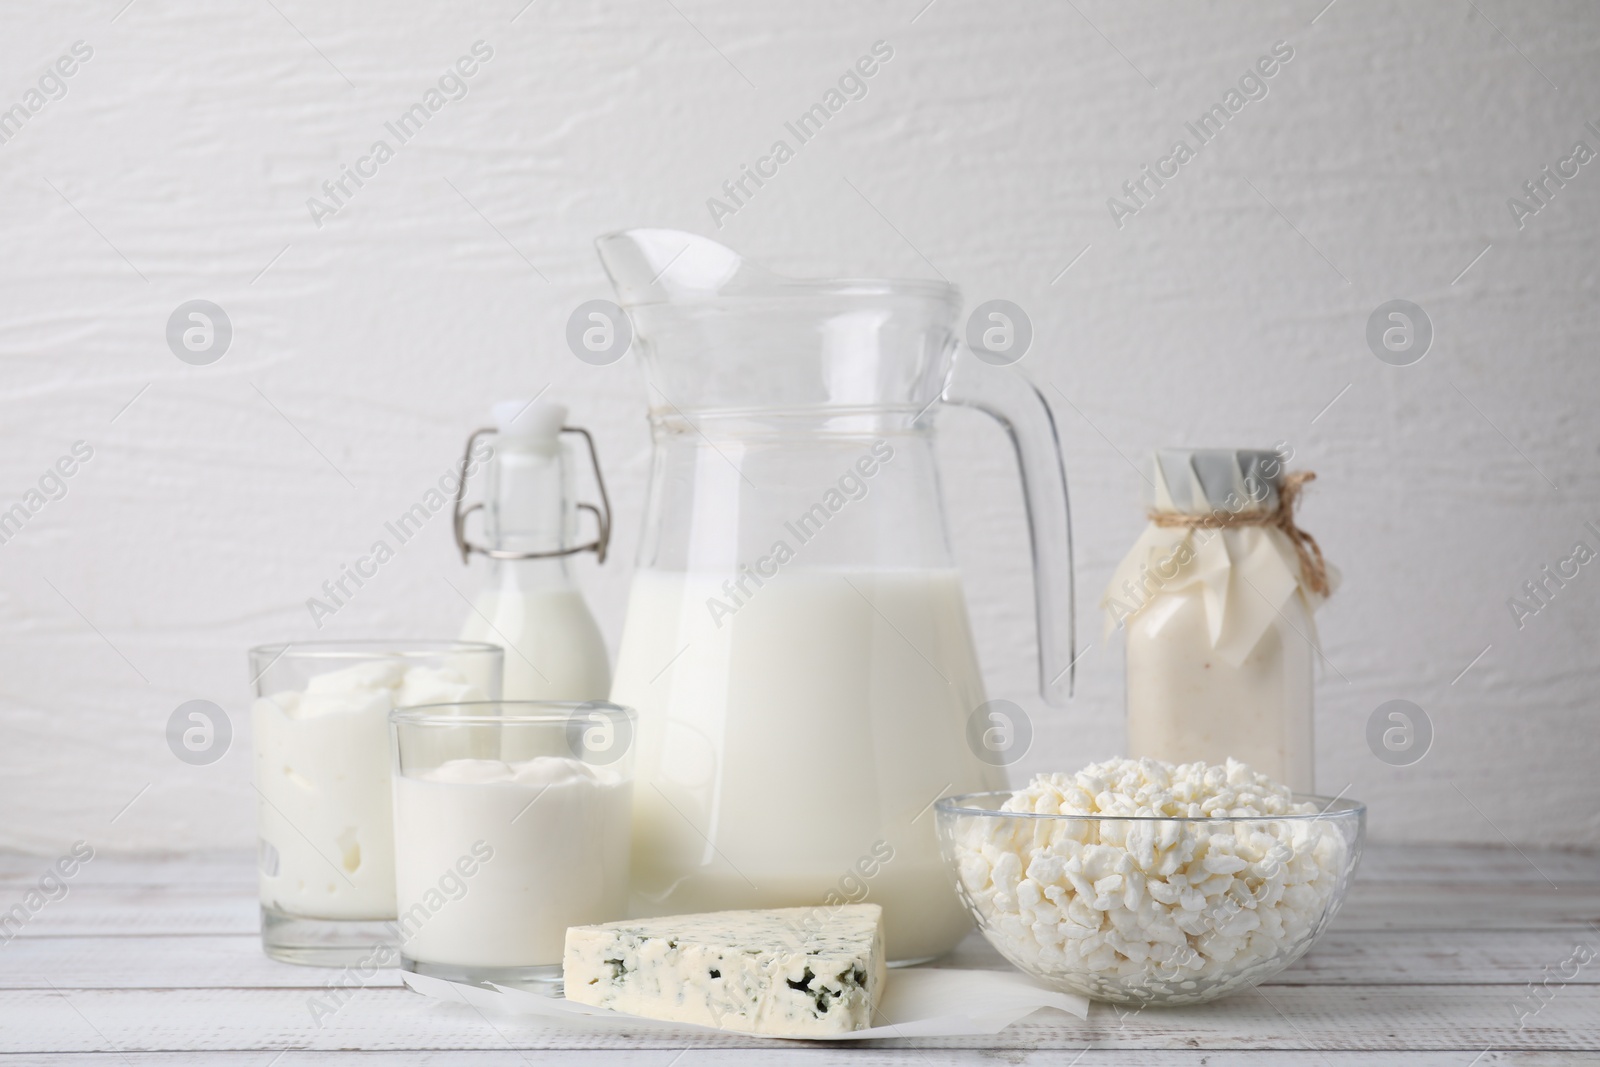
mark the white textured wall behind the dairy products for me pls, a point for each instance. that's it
(1231, 311)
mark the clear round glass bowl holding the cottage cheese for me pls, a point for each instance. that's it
(1151, 909)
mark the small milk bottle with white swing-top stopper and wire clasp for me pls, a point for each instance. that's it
(532, 607)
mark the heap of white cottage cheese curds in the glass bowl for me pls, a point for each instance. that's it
(1170, 909)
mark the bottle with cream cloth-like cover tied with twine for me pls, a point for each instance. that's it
(1217, 599)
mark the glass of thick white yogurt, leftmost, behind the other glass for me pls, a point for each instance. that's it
(324, 794)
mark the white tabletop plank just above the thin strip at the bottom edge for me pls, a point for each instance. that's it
(1402, 1018)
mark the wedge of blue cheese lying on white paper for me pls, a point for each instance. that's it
(793, 972)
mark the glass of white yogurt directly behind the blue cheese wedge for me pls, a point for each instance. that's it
(513, 823)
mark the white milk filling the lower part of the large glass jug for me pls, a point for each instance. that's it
(833, 705)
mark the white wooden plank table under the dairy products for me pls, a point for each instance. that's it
(158, 961)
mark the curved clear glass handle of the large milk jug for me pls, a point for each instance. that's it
(1022, 410)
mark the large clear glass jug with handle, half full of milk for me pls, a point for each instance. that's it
(798, 641)
